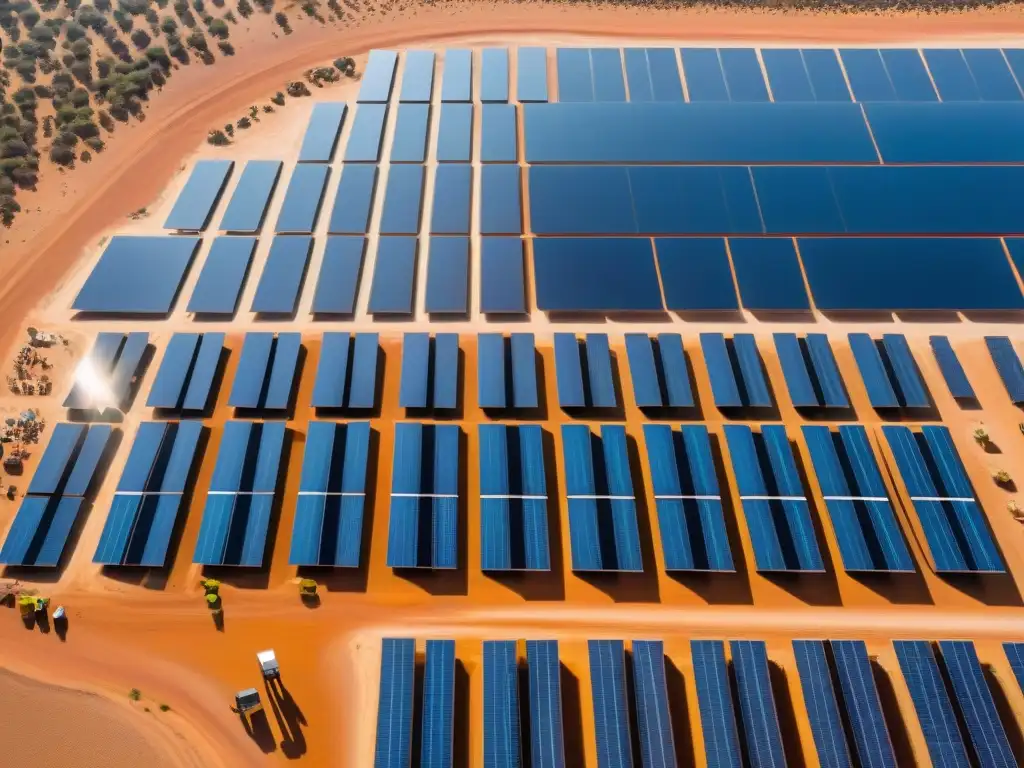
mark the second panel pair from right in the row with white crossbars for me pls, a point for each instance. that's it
(855, 493)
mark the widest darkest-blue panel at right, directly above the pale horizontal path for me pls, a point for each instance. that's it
(897, 274)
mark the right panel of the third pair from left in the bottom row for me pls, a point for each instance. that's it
(658, 748)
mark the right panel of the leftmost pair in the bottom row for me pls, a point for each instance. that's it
(439, 705)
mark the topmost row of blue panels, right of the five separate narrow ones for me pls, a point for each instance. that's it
(790, 75)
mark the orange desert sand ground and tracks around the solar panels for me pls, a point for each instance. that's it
(65, 701)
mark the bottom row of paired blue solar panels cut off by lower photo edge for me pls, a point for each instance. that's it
(952, 698)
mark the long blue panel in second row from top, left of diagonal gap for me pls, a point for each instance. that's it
(697, 134)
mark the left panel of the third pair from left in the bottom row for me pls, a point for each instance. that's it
(612, 709)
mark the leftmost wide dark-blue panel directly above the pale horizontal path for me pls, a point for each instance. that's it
(620, 275)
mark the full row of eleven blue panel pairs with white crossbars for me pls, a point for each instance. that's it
(603, 513)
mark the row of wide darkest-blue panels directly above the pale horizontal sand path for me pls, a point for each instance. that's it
(693, 275)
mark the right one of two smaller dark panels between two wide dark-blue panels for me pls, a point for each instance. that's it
(769, 275)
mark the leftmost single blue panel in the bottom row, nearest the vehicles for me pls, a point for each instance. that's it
(394, 748)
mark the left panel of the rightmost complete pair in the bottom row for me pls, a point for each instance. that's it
(935, 711)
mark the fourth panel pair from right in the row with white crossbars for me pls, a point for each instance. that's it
(688, 498)
